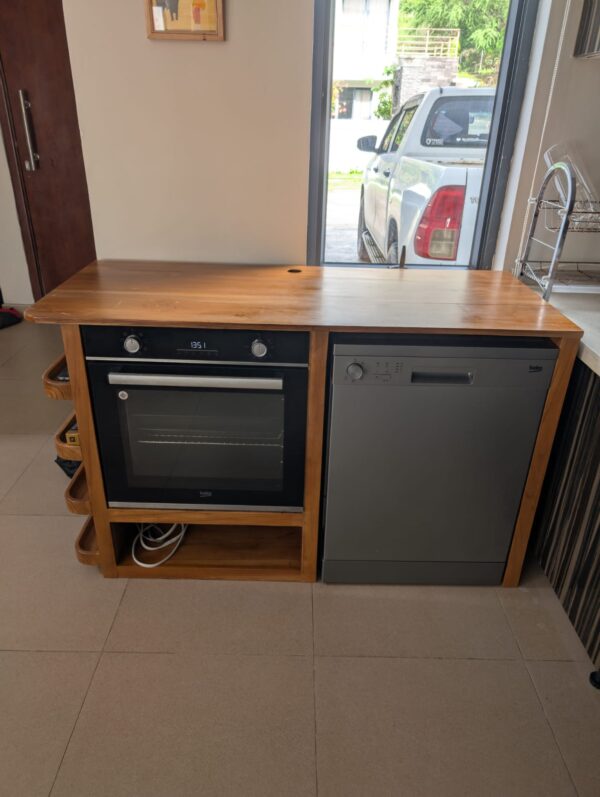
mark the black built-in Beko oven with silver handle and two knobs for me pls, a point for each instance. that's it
(191, 418)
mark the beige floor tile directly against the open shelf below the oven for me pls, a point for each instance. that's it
(214, 617)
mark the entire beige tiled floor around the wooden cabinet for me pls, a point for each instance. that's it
(212, 688)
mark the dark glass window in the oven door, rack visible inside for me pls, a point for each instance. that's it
(204, 440)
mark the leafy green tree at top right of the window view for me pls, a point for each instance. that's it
(482, 24)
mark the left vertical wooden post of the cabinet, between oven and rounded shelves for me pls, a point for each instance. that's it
(76, 362)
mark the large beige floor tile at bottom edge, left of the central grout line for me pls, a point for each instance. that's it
(159, 725)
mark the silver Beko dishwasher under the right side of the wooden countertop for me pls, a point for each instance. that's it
(429, 447)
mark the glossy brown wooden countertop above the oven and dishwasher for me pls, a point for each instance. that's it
(153, 293)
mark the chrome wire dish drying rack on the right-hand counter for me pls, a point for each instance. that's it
(560, 216)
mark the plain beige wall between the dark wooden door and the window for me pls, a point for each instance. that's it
(195, 150)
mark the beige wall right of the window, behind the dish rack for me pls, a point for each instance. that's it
(572, 117)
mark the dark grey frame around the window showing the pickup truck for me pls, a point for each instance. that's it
(512, 78)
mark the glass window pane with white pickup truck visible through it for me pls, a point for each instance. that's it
(436, 64)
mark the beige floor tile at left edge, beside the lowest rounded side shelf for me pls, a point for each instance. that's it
(48, 601)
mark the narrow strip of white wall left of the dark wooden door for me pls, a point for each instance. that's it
(14, 277)
